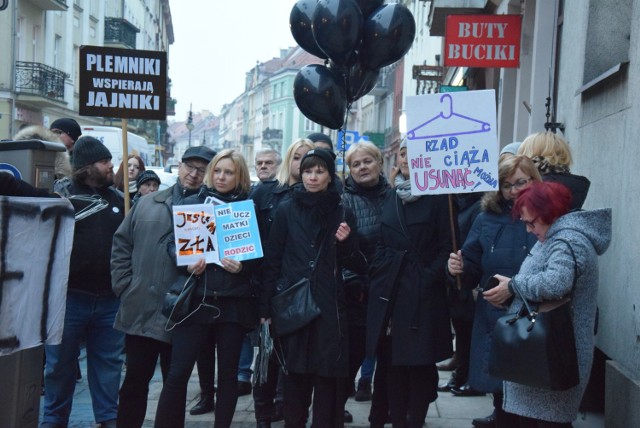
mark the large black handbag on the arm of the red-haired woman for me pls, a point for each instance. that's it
(537, 347)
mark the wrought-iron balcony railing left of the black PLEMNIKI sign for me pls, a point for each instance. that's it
(39, 79)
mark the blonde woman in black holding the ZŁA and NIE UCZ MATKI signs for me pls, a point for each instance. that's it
(224, 307)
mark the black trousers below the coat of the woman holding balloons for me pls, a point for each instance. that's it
(328, 400)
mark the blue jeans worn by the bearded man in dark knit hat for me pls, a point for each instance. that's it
(91, 318)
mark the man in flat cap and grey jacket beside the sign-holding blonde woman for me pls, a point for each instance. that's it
(142, 271)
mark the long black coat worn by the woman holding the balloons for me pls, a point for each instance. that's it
(299, 227)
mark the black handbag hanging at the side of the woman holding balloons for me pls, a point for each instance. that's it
(294, 307)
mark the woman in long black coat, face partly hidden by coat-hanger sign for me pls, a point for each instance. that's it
(408, 321)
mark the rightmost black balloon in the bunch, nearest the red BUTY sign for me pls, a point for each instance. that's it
(388, 34)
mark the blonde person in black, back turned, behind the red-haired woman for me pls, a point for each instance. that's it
(552, 156)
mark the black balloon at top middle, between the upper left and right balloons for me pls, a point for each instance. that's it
(337, 28)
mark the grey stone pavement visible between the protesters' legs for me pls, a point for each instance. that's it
(447, 411)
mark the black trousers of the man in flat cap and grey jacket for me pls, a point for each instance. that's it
(142, 358)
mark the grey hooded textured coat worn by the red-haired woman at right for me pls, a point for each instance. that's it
(548, 275)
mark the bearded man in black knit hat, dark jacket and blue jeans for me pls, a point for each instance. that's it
(91, 304)
